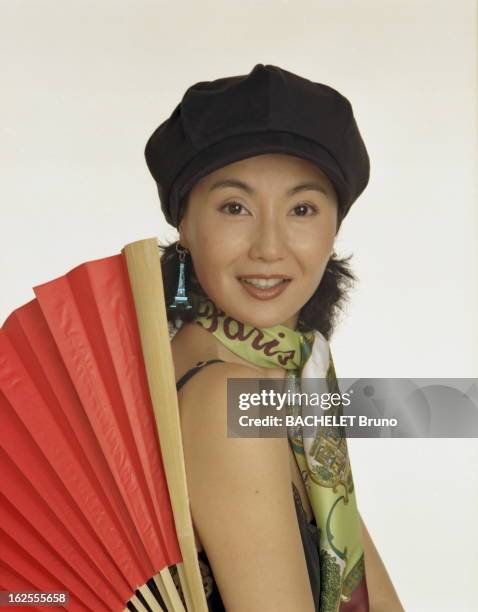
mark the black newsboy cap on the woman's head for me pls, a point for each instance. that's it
(269, 110)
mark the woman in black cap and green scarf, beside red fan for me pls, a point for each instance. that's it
(257, 173)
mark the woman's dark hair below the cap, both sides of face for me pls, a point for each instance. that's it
(319, 313)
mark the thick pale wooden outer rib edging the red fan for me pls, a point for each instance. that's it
(144, 271)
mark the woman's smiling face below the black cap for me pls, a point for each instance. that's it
(262, 216)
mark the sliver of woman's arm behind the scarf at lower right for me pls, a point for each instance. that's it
(381, 592)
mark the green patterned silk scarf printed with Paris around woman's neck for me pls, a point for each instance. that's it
(323, 460)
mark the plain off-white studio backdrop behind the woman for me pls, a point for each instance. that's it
(84, 83)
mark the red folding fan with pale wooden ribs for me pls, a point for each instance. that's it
(93, 498)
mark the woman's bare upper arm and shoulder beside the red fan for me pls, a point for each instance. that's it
(242, 503)
